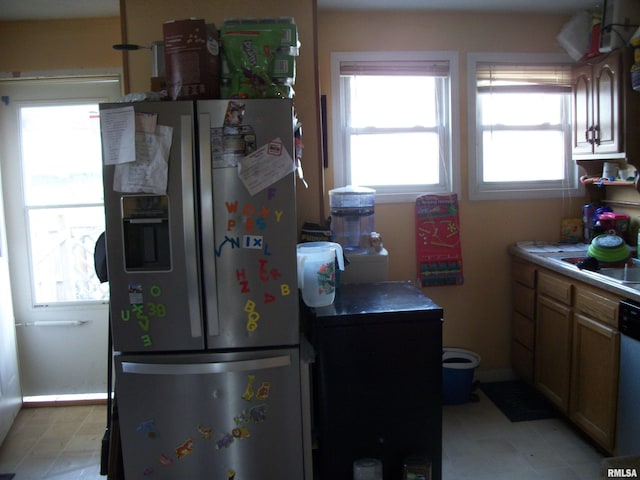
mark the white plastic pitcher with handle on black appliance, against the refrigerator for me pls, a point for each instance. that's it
(316, 271)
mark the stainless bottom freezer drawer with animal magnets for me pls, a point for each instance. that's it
(223, 415)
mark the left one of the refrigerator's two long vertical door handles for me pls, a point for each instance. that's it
(189, 224)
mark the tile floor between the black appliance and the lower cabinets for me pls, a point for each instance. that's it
(480, 443)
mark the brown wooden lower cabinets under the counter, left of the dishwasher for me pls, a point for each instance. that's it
(576, 355)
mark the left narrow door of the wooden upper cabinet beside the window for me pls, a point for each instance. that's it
(582, 111)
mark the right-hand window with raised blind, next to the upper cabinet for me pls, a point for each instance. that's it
(519, 126)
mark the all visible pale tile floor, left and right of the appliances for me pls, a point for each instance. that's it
(479, 443)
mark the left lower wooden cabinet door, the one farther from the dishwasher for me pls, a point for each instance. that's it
(553, 350)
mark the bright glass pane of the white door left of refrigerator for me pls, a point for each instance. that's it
(62, 178)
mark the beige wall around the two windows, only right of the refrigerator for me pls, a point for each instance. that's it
(477, 314)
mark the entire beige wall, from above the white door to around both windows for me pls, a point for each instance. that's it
(477, 313)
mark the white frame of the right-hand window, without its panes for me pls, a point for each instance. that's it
(480, 190)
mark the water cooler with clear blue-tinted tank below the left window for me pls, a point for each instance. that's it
(352, 226)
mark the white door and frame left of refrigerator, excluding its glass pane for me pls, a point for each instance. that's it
(68, 353)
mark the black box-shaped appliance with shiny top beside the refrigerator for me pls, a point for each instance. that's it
(377, 379)
